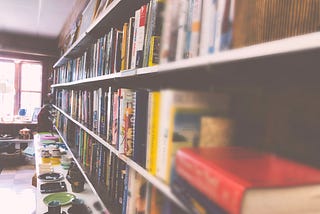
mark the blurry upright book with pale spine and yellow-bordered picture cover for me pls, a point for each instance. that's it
(180, 114)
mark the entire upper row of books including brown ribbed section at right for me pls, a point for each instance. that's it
(163, 31)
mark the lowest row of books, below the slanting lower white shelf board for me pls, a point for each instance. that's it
(121, 188)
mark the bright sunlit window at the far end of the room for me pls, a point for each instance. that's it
(20, 87)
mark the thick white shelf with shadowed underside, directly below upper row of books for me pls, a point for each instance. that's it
(280, 60)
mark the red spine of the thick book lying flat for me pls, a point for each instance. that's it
(212, 181)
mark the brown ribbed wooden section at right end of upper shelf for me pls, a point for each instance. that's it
(258, 21)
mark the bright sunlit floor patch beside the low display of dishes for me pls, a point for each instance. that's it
(17, 195)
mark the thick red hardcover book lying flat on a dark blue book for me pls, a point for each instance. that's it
(245, 181)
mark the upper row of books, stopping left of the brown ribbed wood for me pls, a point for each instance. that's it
(141, 42)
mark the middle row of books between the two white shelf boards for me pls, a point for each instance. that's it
(149, 126)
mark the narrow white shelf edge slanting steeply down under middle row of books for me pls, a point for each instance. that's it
(165, 189)
